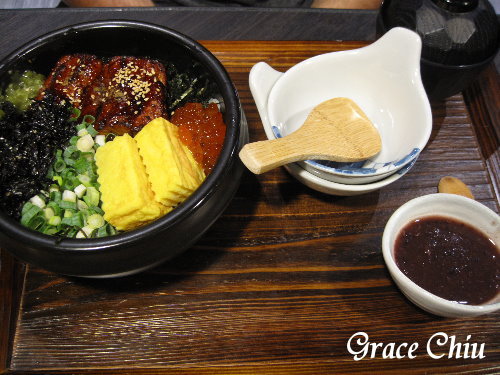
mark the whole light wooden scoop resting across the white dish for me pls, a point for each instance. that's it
(336, 130)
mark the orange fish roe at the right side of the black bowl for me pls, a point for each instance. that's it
(202, 130)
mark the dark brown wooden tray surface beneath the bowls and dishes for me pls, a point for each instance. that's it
(281, 281)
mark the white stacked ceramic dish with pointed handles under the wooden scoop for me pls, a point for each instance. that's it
(382, 78)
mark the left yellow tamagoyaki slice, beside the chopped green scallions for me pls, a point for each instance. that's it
(128, 200)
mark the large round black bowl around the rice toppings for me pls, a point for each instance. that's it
(143, 248)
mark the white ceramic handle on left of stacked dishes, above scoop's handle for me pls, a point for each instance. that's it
(261, 80)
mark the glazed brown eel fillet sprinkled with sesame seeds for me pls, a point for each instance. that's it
(123, 94)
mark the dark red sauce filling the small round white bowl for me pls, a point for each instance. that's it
(450, 259)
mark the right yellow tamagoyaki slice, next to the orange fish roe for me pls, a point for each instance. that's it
(166, 162)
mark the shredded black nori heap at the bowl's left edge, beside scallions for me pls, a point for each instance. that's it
(28, 142)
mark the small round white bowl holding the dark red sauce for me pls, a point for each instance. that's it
(449, 205)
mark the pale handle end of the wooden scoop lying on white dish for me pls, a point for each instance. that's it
(262, 156)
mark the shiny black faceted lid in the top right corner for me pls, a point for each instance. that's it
(453, 32)
